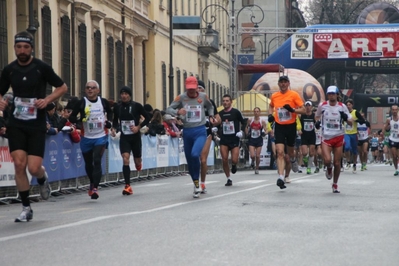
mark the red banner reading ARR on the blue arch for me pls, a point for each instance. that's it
(356, 45)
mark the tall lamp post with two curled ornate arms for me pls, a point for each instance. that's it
(233, 25)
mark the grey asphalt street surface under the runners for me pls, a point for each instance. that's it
(251, 223)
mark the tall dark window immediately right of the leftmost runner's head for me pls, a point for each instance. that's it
(47, 43)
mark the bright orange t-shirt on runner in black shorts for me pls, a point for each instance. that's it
(278, 100)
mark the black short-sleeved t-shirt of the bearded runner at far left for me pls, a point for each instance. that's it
(29, 81)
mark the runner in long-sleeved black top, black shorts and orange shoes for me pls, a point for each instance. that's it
(127, 115)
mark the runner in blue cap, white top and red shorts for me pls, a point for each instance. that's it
(332, 114)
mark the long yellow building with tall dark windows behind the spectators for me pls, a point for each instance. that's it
(118, 43)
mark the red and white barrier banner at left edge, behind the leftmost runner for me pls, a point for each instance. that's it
(7, 176)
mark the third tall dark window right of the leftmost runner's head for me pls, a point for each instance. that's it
(82, 43)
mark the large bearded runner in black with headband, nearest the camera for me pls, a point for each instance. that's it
(26, 129)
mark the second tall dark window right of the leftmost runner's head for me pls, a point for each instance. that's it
(66, 53)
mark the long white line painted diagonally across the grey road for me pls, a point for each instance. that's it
(102, 218)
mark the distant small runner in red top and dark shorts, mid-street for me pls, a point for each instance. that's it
(255, 130)
